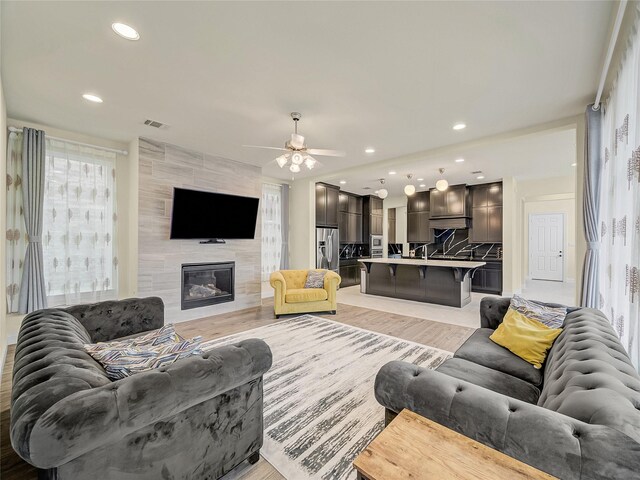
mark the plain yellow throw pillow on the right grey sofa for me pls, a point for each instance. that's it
(525, 337)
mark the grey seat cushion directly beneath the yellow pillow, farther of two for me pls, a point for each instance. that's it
(479, 349)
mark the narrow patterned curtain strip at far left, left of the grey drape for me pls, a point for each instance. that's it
(16, 229)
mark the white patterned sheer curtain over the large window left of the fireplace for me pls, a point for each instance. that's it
(79, 231)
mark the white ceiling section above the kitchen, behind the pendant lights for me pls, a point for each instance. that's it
(527, 157)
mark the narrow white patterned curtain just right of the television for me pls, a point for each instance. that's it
(271, 229)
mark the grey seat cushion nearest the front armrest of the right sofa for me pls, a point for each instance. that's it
(490, 379)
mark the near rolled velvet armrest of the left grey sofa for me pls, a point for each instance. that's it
(91, 418)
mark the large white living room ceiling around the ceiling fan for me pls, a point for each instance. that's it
(395, 76)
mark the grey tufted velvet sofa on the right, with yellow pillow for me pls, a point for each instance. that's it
(577, 418)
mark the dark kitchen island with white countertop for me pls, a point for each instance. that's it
(443, 282)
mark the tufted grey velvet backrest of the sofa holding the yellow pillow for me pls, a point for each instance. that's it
(589, 376)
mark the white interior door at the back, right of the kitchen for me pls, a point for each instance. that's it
(546, 241)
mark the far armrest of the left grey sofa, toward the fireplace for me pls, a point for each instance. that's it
(105, 321)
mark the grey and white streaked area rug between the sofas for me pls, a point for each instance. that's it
(319, 408)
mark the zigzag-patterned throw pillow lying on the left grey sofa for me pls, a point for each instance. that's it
(161, 347)
